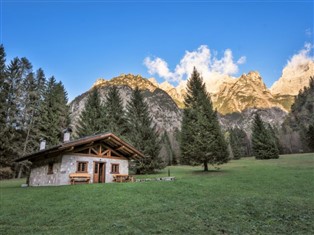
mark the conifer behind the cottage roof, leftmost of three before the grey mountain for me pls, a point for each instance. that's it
(91, 120)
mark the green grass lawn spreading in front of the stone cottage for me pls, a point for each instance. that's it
(247, 196)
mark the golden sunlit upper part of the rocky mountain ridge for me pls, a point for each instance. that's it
(230, 94)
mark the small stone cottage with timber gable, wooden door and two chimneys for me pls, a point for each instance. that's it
(94, 159)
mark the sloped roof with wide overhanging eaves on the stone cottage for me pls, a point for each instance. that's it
(111, 140)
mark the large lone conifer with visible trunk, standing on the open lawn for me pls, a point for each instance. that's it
(202, 141)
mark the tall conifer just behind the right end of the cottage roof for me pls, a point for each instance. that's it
(142, 133)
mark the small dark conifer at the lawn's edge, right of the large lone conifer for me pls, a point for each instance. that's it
(263, 142)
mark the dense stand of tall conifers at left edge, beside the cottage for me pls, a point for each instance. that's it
(31, 107)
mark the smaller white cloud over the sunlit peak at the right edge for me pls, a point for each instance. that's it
(301, 58)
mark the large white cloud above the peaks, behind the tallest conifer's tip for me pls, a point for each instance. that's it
(210, 66)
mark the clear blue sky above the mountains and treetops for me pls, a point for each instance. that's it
(80, 41)
